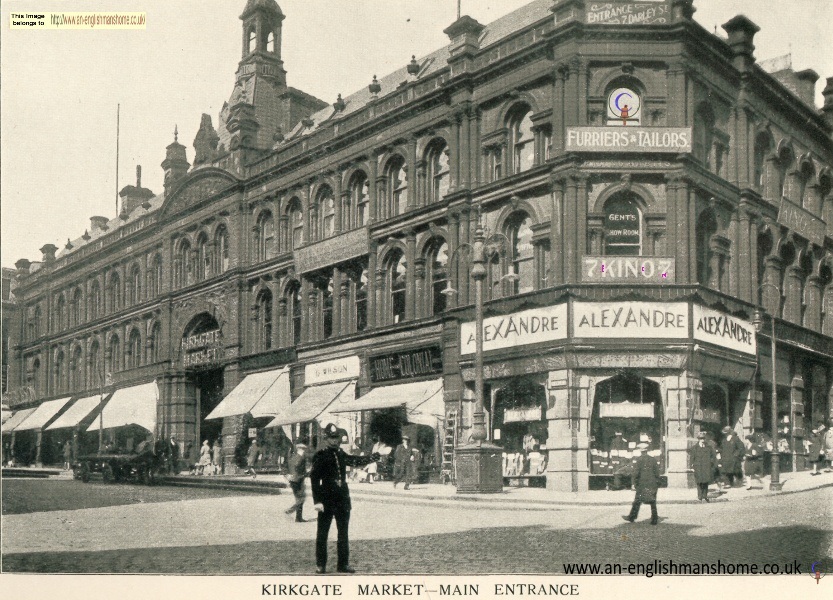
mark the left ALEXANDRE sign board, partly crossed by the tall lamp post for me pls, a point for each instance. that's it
(519, 329)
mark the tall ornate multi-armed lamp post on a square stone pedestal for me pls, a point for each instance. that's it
(479, 462)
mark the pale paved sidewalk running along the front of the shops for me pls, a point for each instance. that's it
(515, 497)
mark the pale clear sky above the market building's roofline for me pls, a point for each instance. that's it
(59, 88)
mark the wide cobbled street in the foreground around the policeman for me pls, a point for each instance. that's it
(135, 529)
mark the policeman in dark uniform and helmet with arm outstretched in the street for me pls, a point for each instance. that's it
(332, 498)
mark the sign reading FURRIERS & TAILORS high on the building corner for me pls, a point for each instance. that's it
(674, 140)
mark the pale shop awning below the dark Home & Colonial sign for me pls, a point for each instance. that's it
(423, 401)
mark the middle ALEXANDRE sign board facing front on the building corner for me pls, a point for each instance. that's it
(630, 320)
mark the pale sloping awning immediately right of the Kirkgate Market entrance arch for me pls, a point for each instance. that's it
(261, 394)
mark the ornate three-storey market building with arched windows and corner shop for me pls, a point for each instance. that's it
(644, 187)
